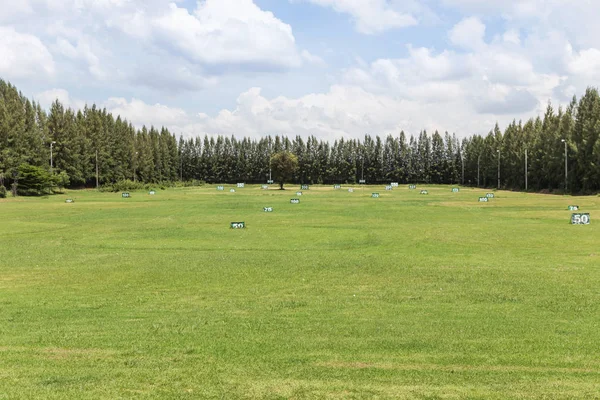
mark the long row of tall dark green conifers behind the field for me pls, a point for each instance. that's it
(92, 147)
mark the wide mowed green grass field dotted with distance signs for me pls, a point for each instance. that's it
(408, 296)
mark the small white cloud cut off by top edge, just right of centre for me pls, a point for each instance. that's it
(370, 16)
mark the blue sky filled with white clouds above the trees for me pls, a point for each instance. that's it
(331, 68)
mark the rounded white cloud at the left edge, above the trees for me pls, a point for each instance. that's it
(24, 56)
